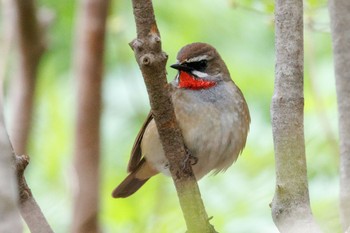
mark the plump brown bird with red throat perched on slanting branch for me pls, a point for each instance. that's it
(211, 112)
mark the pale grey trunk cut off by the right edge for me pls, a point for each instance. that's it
(340, 24)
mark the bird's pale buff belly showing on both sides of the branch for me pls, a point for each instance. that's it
(215, 135)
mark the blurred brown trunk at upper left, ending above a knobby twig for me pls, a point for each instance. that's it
(31, 47)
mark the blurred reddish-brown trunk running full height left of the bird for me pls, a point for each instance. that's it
(89, 70)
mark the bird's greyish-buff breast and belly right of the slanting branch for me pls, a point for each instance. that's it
(210, 121)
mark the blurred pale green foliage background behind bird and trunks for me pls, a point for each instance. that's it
(243, 33)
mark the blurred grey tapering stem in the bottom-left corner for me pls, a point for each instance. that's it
(10, 219)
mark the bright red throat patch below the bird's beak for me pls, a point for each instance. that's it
(190, 82)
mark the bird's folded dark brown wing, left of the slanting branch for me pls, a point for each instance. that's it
(136, 154)
